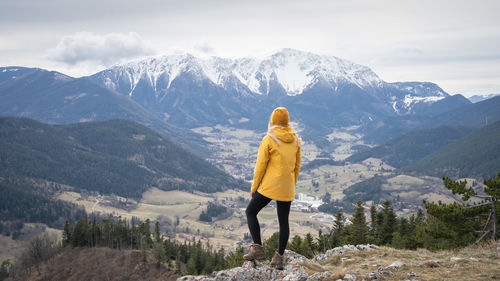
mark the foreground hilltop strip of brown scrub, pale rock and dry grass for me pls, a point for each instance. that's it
(366, 262)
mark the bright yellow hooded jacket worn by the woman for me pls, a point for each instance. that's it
(278, 164)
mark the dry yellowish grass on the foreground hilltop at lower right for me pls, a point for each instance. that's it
(480, 262)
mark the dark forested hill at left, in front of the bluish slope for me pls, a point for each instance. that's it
(116, 156)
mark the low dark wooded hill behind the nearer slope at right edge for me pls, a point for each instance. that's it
(412, 146)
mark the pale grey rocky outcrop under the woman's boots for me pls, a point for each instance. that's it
(294, 269)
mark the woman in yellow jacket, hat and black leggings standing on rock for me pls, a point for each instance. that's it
(275, 176)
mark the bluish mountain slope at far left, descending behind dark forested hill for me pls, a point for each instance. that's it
(53, 97)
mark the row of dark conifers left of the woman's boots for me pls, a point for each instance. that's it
(191, 257)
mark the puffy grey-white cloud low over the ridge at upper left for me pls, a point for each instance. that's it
(104, 49)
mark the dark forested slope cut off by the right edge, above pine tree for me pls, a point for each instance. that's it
(475, 155)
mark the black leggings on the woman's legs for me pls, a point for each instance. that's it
(258, 202)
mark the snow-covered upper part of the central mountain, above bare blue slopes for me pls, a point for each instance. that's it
(295, 71)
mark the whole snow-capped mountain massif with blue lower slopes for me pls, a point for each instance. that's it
(192, 91)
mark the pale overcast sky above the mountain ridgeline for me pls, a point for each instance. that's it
(455, 44)
